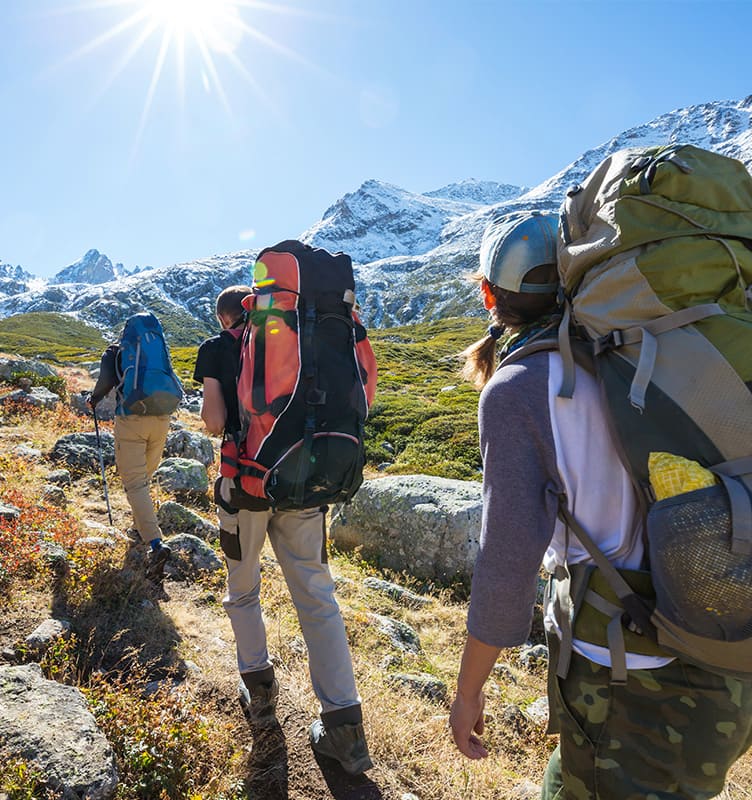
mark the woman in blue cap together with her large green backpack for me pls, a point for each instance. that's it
(650, 674)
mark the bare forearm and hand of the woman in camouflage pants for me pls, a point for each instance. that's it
(466, 716)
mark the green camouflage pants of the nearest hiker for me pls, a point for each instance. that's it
(667, 734)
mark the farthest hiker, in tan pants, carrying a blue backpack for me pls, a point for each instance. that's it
(138, 367)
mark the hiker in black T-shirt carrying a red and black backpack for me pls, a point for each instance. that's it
(284, 387)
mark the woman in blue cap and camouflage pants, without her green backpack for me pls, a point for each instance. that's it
(634, 720)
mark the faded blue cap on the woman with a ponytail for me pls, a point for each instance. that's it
(516, 243)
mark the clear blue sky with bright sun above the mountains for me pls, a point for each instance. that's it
(294, 104)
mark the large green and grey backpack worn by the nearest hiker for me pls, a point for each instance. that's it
(655, 261)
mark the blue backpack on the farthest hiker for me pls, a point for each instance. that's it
(147, 383)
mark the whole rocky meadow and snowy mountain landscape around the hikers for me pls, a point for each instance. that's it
(109, 693)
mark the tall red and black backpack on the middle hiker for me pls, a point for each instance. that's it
(306, 379)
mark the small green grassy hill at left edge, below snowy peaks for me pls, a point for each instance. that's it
(54, 337)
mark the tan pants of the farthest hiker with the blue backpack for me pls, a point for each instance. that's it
(139, 443)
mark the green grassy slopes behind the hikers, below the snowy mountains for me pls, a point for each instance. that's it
(423, 418)
